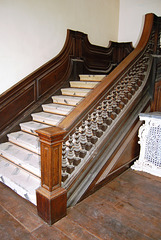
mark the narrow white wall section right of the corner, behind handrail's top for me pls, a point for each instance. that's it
(131, 18)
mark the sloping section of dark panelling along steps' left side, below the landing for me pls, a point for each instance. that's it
(43, 80)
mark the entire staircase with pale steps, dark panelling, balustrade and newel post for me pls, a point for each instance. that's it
(88, 134)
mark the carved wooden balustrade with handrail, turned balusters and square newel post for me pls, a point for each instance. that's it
(96, 116)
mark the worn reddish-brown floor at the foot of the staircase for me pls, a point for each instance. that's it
(127, 208)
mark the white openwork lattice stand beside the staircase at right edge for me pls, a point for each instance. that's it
(150, 144)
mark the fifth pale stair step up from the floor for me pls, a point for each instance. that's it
(48, 118)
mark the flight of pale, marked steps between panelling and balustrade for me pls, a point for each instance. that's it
(20, 156)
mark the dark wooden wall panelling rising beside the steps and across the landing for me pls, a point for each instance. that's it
(51, 76)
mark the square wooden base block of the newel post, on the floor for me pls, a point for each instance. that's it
(51, 206)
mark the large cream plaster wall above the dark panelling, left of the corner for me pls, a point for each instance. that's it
(34, 31)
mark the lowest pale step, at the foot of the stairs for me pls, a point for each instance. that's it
(19, 180)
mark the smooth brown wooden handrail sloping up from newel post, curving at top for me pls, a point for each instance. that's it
(78, 113)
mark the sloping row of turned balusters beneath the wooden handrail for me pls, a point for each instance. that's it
(109, 106)
